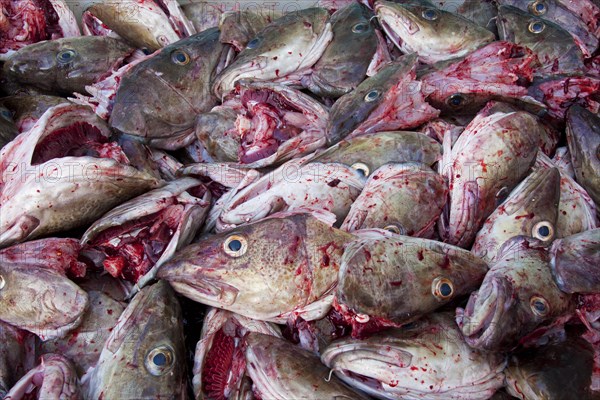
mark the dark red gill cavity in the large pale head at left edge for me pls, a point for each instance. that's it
(78, 139)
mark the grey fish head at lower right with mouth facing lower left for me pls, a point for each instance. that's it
(517, 295)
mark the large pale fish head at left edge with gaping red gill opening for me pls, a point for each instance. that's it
(44, 189)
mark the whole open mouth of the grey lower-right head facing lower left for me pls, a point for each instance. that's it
(479, 321)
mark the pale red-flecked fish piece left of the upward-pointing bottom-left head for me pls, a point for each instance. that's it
(84, 344)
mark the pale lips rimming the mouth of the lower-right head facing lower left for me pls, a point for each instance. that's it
(485, 330)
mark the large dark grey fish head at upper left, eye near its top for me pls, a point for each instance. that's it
(176, 87)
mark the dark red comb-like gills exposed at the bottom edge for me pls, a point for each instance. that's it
(222, 358)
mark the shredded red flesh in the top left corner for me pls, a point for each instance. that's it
(26, 22)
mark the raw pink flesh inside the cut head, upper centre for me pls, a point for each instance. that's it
(266, 111)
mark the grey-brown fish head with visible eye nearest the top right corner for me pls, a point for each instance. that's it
(555, 47)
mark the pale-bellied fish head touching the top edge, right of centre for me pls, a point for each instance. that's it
(435, 35)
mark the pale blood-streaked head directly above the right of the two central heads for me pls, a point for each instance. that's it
(405, 197)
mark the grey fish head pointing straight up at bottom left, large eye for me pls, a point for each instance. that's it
(144, 354)
